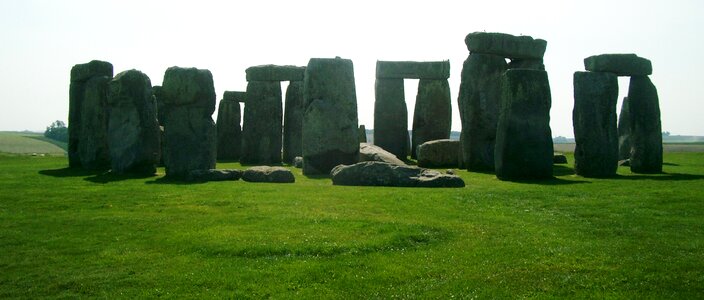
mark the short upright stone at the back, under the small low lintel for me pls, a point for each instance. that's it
(229, 130)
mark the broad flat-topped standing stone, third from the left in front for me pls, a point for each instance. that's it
(189, 130)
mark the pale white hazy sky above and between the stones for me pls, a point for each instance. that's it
(41, 40)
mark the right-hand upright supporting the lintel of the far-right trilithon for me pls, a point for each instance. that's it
(644, 106)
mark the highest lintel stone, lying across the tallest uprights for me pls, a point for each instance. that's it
(505, 45)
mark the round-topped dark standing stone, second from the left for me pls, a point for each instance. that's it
(133, 130)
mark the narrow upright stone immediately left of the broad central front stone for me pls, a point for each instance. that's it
(293, 121)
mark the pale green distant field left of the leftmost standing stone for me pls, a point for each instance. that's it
(29, 143)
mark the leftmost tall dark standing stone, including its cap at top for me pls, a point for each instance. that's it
(87, 117)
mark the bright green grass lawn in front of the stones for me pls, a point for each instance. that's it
(68, 234)
